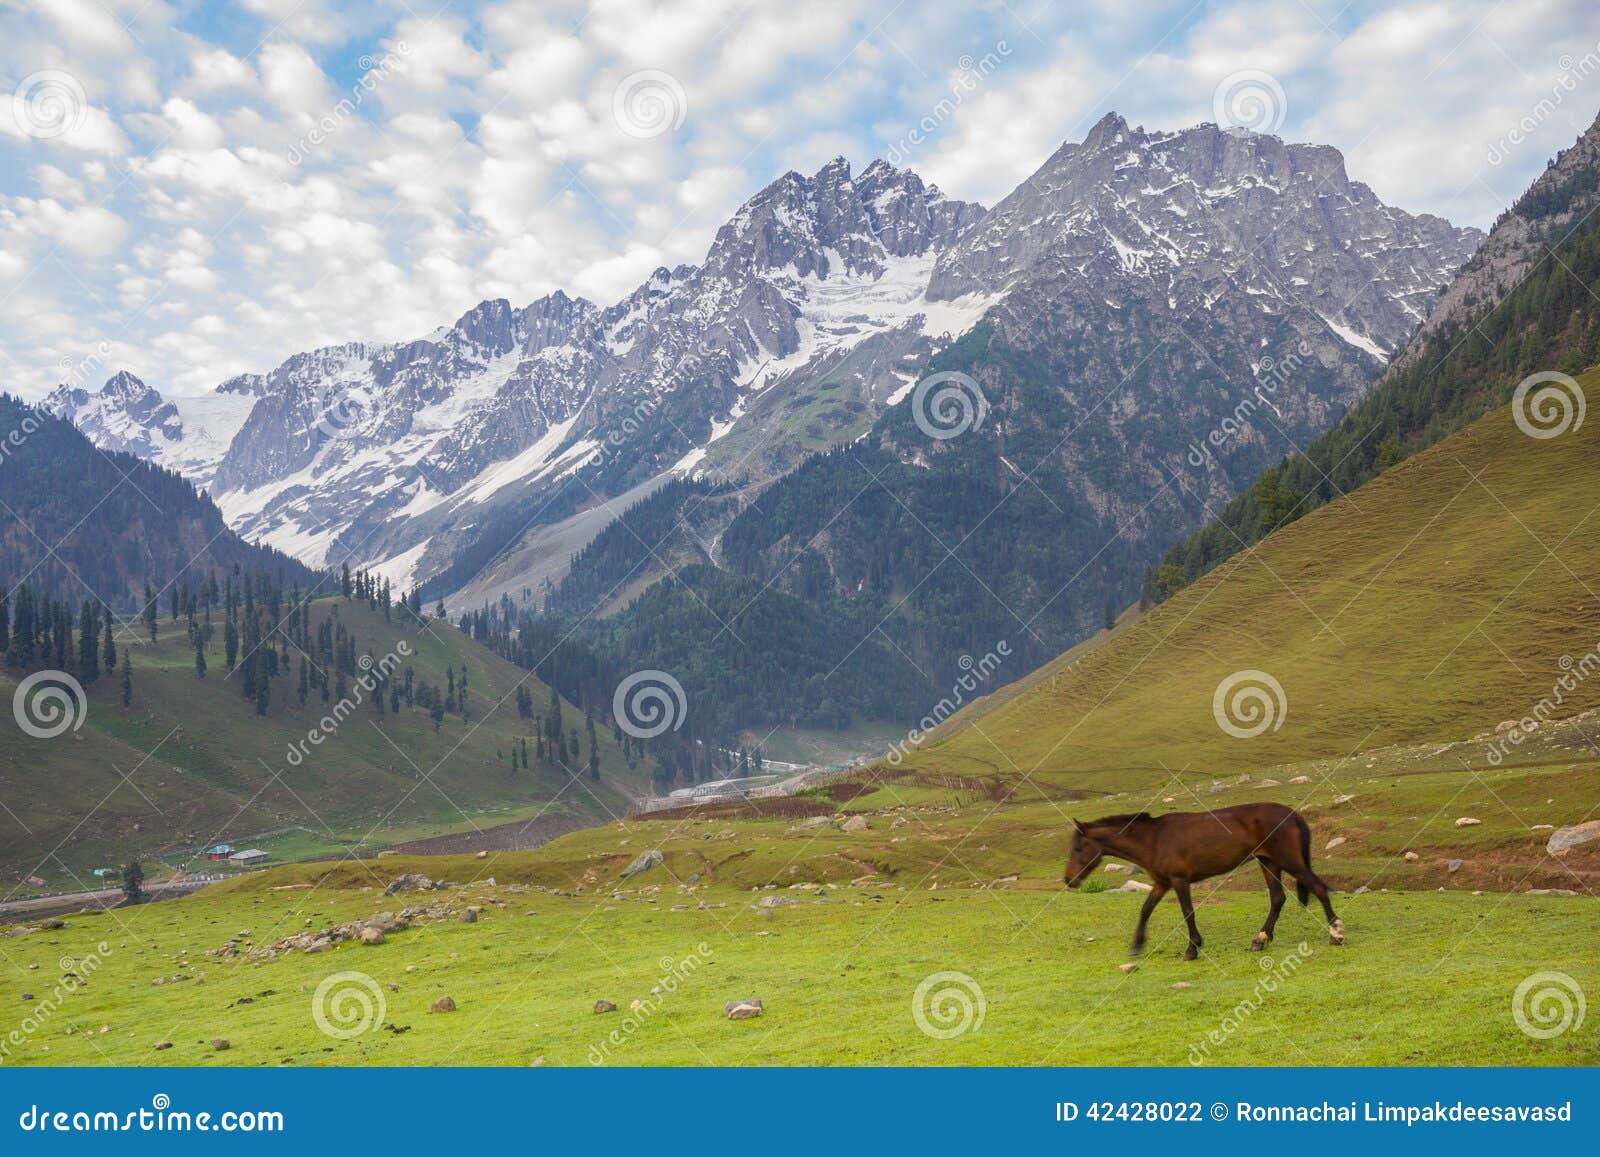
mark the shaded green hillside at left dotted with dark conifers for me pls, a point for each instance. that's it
(190, 764)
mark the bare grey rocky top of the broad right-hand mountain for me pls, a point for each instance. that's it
(1204, 214)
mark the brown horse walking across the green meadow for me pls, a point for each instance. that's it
(1185, 847)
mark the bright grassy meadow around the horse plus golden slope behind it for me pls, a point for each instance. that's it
(914, 913)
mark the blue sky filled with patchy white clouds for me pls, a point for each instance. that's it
(198, 190)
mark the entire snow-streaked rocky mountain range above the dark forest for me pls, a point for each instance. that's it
(809, 319)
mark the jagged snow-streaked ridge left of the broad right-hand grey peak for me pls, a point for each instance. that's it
(390, 452)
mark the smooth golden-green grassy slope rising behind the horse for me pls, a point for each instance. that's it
(1447, 596)
